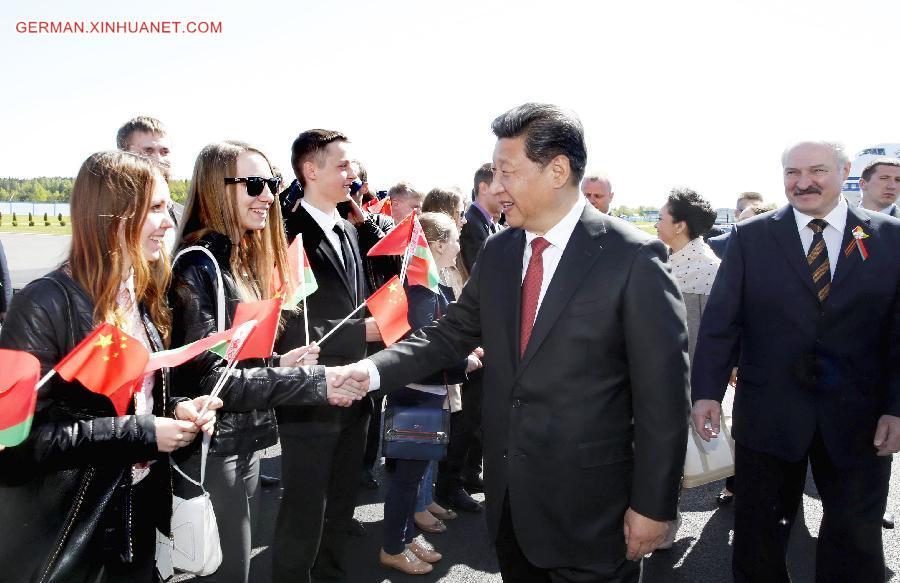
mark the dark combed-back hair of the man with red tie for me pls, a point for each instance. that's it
(549, 131)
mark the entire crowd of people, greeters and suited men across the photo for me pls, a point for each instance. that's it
(565, 346)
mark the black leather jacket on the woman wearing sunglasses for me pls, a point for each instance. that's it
(246, 422)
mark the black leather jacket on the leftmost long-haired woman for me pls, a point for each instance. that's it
(69, 483)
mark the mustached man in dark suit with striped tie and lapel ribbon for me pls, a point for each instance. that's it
(811, 295)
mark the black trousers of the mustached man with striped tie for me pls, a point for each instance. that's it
(768, 495)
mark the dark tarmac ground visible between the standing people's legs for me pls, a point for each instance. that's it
(701, 553)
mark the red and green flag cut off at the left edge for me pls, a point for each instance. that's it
(17, 395)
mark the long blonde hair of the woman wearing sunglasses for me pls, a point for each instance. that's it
(211, 206)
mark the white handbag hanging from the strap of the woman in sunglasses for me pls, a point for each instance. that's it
(194, 545)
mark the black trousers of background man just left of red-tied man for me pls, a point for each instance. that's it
(464, 451)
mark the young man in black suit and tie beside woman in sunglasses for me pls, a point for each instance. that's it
(322, 450)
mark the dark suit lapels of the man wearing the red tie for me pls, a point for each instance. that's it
(579, 256)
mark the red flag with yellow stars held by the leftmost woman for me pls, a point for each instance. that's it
(109, 362)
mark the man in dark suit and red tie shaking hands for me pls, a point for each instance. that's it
(585, 422)
